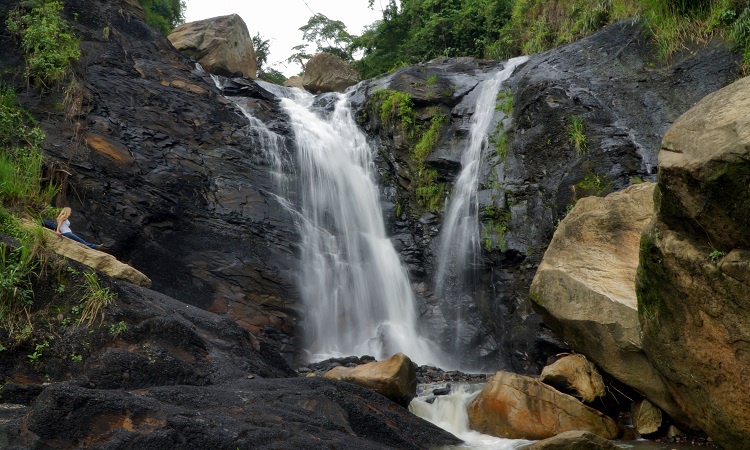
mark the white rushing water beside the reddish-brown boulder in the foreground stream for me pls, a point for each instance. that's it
(449, 413)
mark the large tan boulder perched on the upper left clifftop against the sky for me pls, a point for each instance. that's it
(222, 45)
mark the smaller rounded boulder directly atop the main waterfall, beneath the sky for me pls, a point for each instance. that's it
(326, 72)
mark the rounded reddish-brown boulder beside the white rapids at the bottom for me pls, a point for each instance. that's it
(519, 407)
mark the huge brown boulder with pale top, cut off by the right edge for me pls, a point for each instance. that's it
(693, 285)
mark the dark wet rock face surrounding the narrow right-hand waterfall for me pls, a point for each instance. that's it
(610, 85)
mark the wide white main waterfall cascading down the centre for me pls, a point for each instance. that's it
(357, 295)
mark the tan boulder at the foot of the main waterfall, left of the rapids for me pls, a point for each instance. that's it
(395, 377)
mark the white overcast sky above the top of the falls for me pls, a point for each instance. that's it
(279, 20)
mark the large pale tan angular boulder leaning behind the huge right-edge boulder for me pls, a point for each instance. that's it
(585, 288)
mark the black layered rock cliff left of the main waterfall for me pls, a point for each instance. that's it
(166, 173)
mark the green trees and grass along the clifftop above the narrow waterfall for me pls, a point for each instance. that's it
(412, 31)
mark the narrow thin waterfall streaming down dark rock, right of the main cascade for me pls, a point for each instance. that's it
(459, 250)
